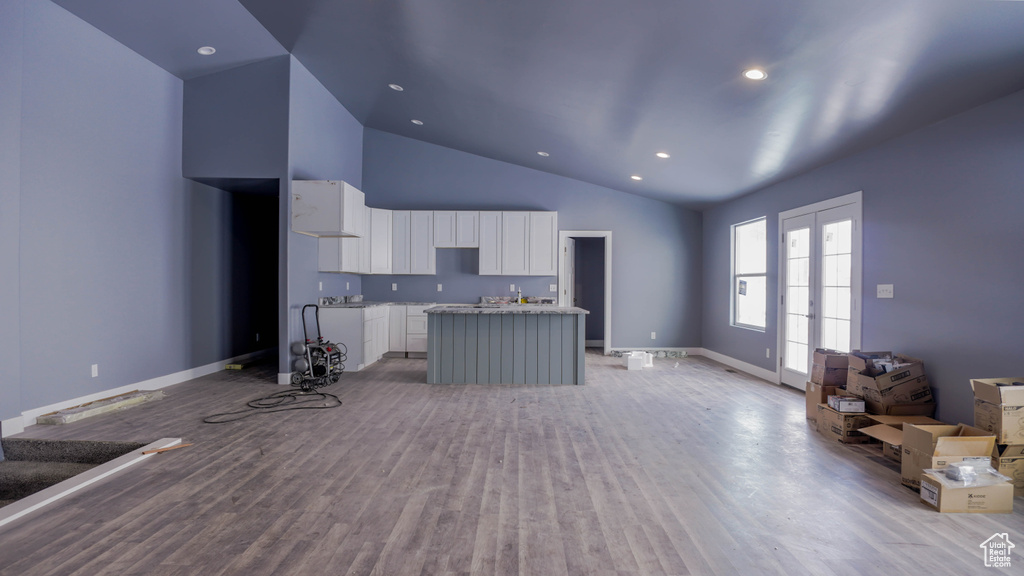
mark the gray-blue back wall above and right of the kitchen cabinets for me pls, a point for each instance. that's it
(656, 246)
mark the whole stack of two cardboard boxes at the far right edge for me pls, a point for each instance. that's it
(999, 408)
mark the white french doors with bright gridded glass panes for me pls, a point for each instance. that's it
(820, 284)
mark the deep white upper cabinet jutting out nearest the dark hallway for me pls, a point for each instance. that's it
(327, 210)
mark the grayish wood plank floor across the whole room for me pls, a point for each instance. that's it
(682, 470)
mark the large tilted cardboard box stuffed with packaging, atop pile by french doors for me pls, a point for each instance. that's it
(891, 385)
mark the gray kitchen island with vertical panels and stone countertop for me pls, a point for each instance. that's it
(506, 344)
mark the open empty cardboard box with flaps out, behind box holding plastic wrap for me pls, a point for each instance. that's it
(936, 446)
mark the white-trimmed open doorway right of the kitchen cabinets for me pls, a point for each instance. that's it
(585, 281)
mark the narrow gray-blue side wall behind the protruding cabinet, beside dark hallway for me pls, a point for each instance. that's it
(325, 143)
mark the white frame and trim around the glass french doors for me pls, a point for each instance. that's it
(857, 306)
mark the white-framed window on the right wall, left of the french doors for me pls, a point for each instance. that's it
(750, 269)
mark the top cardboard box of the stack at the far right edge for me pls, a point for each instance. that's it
(999, 407)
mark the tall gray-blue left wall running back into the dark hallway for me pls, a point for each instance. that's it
(109, 256)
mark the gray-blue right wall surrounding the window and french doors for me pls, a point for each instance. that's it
(943, 223)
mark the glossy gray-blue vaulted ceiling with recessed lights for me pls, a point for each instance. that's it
(601, 87)
